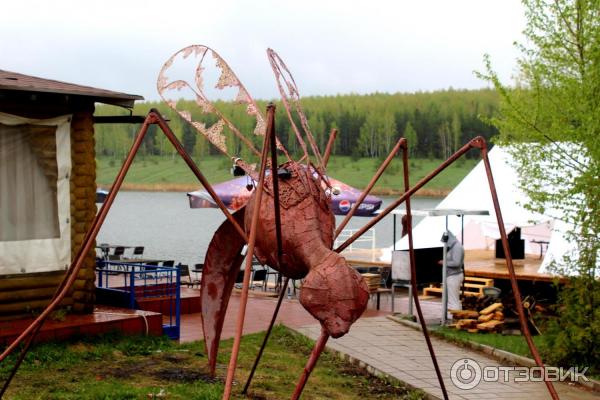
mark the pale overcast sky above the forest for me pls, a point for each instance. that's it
(331, 47)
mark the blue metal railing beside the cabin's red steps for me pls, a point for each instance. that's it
(142, 281)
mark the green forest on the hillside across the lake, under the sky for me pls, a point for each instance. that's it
(435, 123)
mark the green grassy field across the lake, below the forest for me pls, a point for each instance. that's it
(357, 173)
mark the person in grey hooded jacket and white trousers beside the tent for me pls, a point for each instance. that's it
(455, 258)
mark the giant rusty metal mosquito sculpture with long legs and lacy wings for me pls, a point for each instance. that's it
(287, 223)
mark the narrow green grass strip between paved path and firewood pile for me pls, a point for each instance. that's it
(515, 344)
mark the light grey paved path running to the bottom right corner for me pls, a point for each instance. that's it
(400, 351)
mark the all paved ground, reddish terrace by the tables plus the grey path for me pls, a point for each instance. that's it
(387, 347)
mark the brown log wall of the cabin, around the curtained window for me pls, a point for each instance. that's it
(26, 294)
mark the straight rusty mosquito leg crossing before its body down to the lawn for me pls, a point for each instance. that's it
(251, 241)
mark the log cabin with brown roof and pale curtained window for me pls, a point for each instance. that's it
(47, 189)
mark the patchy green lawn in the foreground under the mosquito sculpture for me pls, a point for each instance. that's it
(116, 367)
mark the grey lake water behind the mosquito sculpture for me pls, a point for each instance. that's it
(168, 229)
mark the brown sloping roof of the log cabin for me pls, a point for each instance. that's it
(13, 81)
